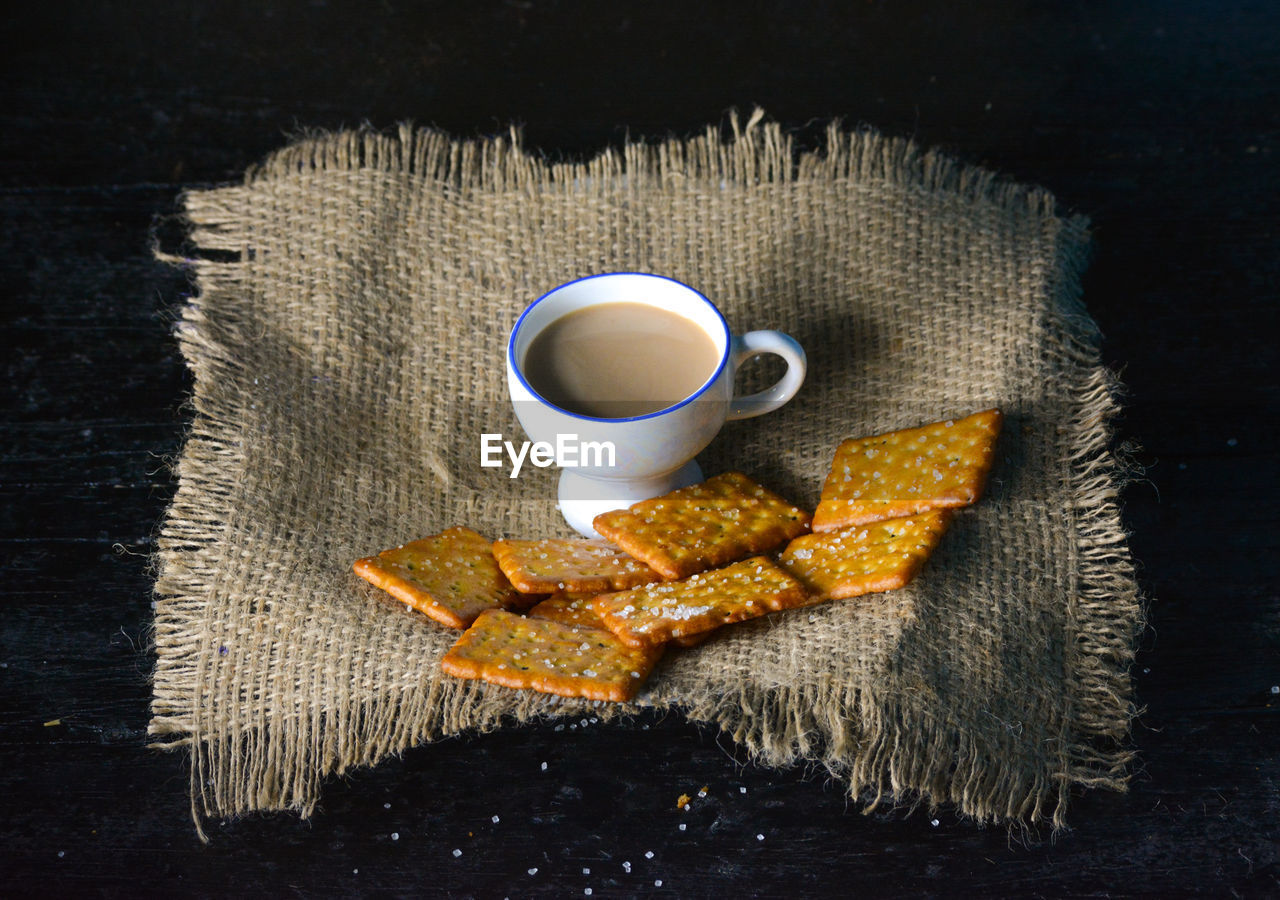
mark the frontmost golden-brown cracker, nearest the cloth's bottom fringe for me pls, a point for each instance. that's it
(514, 651)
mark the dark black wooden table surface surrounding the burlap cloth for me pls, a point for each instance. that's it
(1159, 120)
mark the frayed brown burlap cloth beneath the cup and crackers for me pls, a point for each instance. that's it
(348, 339)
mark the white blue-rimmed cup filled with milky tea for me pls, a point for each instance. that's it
(624, 378)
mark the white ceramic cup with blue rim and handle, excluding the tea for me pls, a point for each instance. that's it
(652, 454)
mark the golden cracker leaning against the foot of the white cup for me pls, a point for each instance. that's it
(706, 526)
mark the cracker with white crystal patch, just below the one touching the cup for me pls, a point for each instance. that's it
(660, 613)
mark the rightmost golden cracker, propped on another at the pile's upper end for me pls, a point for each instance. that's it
(903, 473)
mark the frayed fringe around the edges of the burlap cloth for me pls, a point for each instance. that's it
(851, 735)
